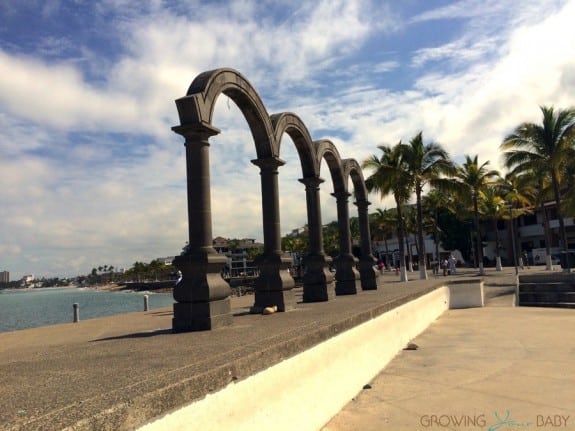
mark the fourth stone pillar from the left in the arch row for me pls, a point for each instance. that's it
(346, 275)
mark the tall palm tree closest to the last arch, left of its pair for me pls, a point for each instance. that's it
(391, 176)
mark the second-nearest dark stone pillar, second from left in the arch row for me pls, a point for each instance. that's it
(274, 284)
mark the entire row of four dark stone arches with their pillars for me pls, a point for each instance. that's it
(202, 295)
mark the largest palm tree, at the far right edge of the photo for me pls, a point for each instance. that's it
(548, 146)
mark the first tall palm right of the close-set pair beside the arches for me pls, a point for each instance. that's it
(470, 179)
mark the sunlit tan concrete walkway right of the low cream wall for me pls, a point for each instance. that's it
(494, 368)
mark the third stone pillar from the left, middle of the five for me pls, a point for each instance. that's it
(318, 282)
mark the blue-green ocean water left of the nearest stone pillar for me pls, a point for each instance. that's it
(31, 308)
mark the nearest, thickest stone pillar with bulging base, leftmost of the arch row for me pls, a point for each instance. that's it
(202, 295)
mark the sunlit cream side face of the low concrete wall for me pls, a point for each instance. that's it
(305, 391)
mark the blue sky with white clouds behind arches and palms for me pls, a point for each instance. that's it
(91, 173)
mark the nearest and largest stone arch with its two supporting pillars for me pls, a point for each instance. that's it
(203, 297)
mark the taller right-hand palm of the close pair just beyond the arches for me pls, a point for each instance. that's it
(427, 164)
